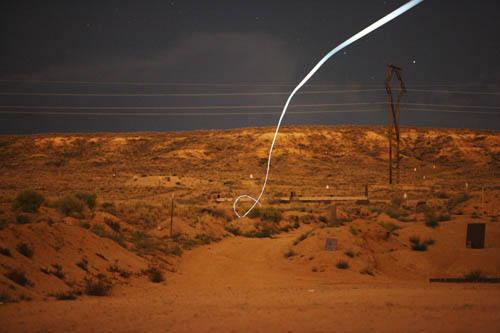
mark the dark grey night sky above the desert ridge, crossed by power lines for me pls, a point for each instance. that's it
(214, 47)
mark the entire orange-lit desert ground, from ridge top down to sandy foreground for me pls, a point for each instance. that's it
(103, 228)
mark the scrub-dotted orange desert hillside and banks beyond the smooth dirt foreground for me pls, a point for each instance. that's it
(105, 216)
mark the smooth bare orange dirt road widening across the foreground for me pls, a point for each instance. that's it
(246, 285)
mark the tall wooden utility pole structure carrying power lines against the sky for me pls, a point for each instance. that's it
(394, 116)
